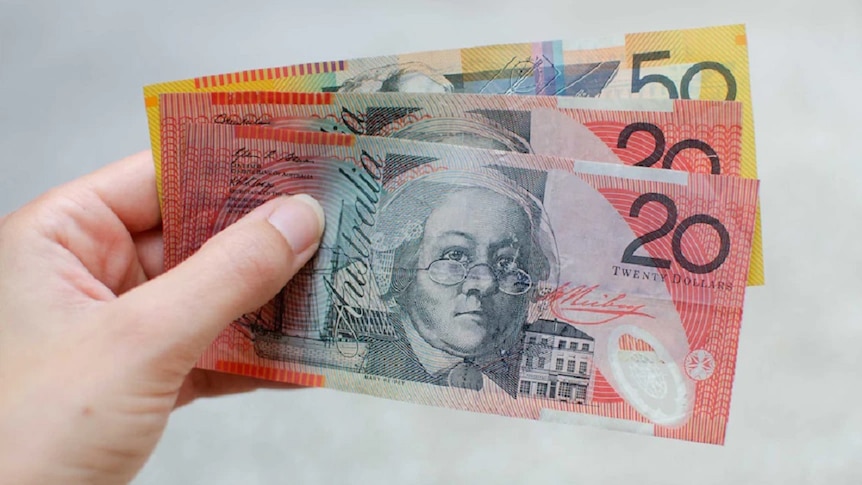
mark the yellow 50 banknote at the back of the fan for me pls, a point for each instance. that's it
(703, 63)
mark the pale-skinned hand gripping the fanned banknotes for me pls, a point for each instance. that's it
(98, 343)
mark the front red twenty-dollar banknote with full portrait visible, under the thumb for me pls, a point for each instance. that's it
(498, 282)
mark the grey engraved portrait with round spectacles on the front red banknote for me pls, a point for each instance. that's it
(459, 259)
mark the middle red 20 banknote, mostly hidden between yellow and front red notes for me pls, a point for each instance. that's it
(694, 136)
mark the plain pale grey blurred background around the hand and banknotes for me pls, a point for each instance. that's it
(71, 78)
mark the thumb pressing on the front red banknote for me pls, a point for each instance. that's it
(237, 271)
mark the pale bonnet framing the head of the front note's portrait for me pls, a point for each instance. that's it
(401, 223)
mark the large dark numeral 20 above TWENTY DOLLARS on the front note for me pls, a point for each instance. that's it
(629, 255)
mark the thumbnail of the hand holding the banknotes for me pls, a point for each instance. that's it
(300, 220)
